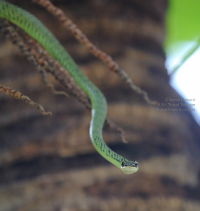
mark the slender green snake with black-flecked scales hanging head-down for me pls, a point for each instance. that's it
(33, 27)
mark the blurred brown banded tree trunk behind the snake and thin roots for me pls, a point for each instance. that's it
(49, 163)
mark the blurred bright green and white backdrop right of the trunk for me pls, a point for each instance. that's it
(182, 49)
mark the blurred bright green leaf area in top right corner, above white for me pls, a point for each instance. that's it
(182, 21)
